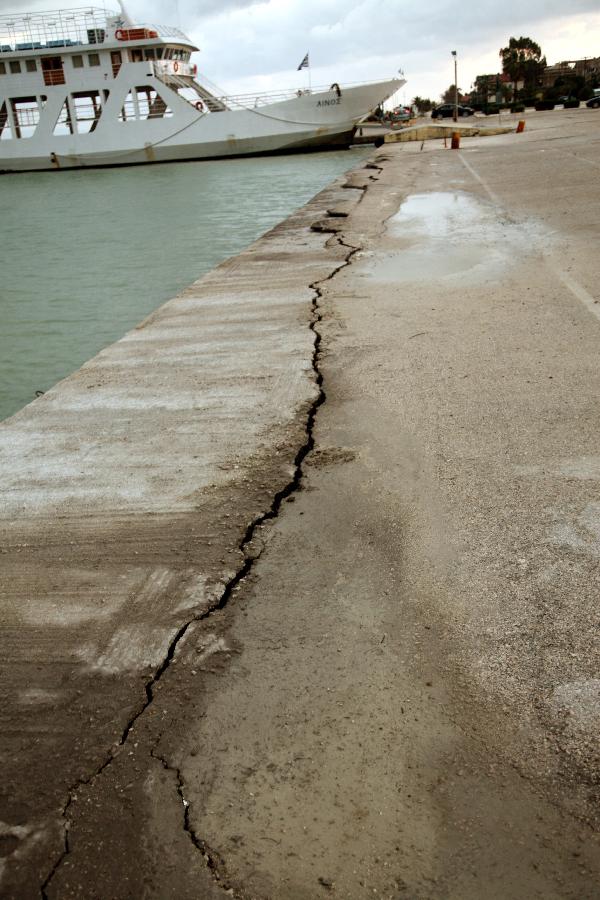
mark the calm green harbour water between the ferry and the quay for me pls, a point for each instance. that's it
(87, 255)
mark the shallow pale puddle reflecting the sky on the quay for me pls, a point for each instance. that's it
(445, 235)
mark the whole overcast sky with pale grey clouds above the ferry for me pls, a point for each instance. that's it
(247, 46)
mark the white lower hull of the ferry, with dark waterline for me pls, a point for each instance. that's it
(293, 125)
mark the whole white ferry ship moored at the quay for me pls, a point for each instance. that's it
(89, 87)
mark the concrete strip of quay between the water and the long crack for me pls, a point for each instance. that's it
(122, 529)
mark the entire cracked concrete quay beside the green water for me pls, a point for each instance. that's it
(300, 578)
